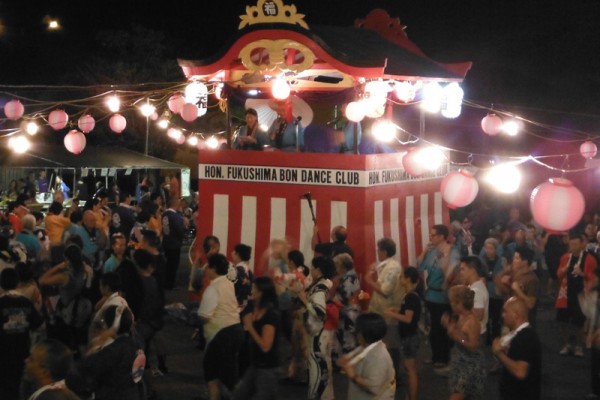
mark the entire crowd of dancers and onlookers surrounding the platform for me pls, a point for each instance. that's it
(83, 295)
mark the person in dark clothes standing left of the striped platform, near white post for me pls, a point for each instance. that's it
(173, 231)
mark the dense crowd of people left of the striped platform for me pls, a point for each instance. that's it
(83, 291)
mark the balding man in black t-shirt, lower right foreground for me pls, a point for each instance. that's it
(520, 353)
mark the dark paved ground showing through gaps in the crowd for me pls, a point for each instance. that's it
(564, 378)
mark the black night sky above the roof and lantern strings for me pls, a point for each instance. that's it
(537, 59)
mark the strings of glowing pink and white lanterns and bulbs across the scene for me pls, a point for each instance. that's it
(458, 188)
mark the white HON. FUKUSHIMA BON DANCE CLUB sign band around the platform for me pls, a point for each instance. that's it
(300, 176)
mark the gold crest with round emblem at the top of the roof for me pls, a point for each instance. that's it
(272, 11)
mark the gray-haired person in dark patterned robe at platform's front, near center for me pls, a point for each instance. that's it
(347, 294)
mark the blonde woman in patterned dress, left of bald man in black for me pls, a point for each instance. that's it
(467, 363)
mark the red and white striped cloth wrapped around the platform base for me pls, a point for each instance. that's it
(254, 213)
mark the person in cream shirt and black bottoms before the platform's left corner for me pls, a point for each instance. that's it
(219, 311)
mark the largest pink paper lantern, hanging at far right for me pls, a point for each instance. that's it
(557, 205)
